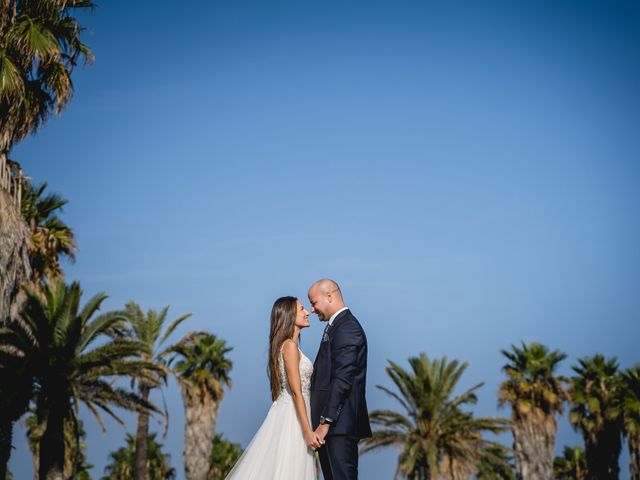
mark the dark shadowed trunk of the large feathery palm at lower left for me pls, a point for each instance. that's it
(52, 442)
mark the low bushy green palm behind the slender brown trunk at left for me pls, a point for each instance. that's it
(122, 463)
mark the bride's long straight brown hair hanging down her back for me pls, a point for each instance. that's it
(283, 320)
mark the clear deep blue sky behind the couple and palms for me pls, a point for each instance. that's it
(468, 171)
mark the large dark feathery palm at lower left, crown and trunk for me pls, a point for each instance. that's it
(70, 368)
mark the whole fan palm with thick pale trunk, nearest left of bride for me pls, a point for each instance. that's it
(202, 368)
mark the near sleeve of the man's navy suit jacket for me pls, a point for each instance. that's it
(344, 357)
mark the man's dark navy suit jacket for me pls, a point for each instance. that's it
(339, 378)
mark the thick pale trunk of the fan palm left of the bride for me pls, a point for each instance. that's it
(200, 420)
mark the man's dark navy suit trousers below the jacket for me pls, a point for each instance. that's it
(339, 457)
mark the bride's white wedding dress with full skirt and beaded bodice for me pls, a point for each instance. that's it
(278, 450)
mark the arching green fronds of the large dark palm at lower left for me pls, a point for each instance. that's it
(69, 360)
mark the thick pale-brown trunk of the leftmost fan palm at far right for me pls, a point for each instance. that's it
(534, 440)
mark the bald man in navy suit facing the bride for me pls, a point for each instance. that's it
(338, 405)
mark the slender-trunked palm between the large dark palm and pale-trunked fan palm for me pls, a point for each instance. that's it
(148, 330)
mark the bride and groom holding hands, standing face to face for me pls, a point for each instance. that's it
(319, 406)
